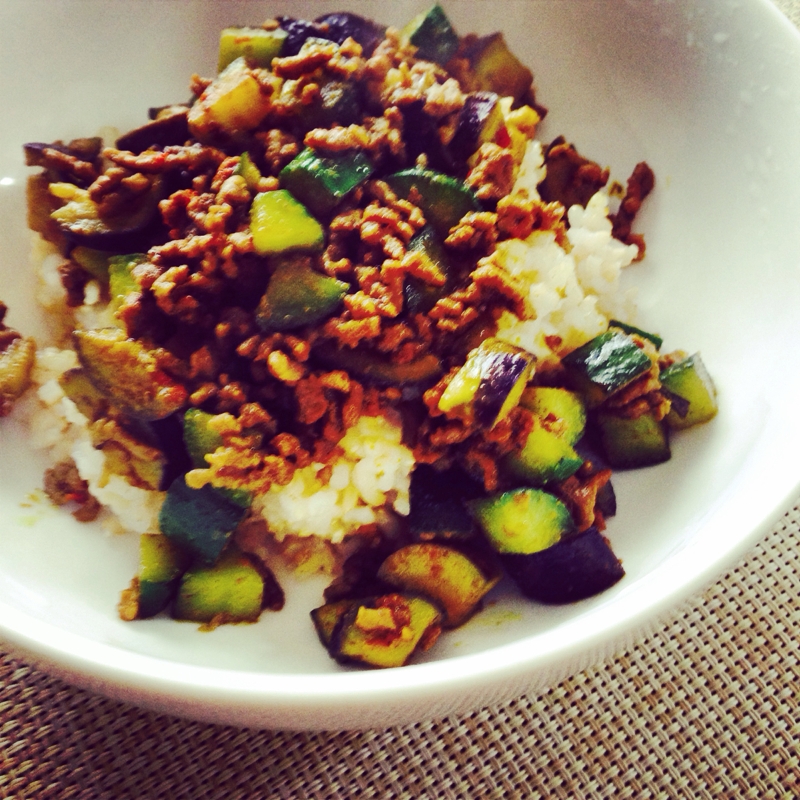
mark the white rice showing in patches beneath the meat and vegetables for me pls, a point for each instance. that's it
(571, 293)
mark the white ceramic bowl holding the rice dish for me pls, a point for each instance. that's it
(707, 92)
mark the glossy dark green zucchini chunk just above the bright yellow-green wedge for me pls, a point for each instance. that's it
(321, 182)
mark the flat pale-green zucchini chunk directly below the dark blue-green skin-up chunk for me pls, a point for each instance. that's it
(232, 590)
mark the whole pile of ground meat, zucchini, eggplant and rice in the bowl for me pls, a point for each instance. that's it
(344, 311)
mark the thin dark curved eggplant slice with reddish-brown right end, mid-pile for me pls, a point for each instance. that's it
(377, 368)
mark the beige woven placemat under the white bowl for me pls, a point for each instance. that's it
(706, 707)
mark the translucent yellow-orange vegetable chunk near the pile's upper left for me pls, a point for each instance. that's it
(232, 104)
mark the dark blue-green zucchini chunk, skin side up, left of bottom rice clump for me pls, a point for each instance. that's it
(200, 521)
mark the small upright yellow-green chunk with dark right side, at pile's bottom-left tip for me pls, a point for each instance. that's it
(161, 564)
